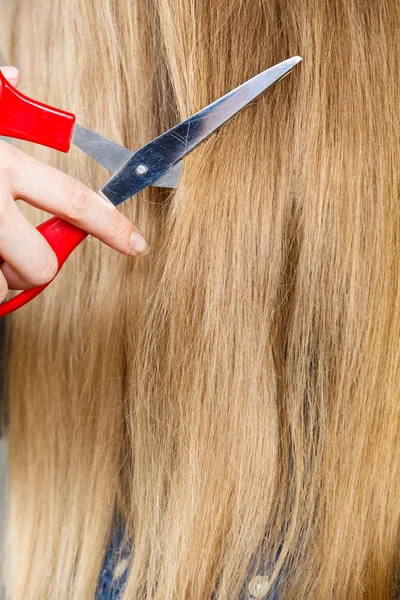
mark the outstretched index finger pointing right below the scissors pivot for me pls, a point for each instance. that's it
(47, 188)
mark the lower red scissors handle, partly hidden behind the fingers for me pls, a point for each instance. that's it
(63, 238)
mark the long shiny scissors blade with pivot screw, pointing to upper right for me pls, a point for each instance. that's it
(156, 159)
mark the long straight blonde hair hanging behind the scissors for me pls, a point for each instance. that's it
(234, 395)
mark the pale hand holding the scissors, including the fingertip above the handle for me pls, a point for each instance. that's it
(29, 259)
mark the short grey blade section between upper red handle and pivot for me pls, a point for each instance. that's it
(110, 155)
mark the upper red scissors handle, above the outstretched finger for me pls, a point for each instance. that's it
(26, 119)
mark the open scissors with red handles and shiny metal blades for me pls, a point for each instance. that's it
(158, 163)
